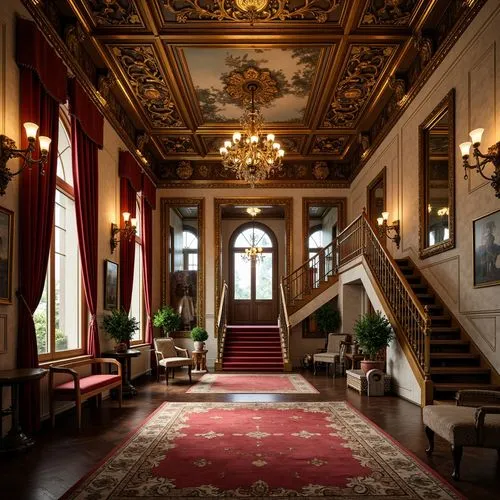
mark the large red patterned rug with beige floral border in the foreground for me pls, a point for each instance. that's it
(260, 450)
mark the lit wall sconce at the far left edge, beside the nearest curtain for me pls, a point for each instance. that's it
(8, 150)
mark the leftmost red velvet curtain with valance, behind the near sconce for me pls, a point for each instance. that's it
(42, 89)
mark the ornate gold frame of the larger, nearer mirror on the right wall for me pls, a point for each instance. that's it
(448, 103)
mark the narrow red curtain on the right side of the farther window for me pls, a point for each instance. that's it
(148, 203)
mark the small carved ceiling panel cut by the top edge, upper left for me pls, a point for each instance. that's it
(114, 13)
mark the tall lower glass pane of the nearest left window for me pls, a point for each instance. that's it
(67, 277)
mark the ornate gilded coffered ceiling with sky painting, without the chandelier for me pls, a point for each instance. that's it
(331, 74)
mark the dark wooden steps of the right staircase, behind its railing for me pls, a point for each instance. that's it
(454, 362)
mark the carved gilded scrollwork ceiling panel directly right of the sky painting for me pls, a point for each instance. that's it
(363, 70)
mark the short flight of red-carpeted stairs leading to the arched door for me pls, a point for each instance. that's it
(252, 348)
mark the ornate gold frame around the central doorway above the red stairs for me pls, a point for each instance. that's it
(287, 203)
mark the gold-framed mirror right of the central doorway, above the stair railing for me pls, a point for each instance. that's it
(322, 220)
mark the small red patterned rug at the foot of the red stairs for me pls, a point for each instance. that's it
(293, 383)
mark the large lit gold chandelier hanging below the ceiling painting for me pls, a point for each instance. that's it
(251, 157)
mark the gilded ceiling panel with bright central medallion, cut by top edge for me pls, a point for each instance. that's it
(251, 11)
